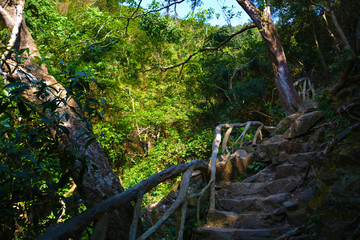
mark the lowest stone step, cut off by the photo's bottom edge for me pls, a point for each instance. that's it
(204, 233)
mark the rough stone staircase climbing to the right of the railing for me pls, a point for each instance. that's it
(267, 204)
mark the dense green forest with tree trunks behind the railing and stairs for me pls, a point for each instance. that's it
(149, 87)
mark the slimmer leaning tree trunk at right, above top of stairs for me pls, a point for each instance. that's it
(267, 28)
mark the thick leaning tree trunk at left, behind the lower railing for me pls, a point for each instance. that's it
(98, 182)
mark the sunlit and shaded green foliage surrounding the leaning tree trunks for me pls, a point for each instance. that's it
(103, 61)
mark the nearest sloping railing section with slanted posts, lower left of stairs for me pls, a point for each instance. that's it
(136, 193)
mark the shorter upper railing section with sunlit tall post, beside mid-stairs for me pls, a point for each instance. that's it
(216, 145)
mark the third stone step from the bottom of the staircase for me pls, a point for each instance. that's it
(253, 204)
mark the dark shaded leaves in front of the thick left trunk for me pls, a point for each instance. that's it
(34, 174)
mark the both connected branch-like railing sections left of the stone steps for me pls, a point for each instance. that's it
(136, 193)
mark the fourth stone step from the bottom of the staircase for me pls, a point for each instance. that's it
(242, 190)
